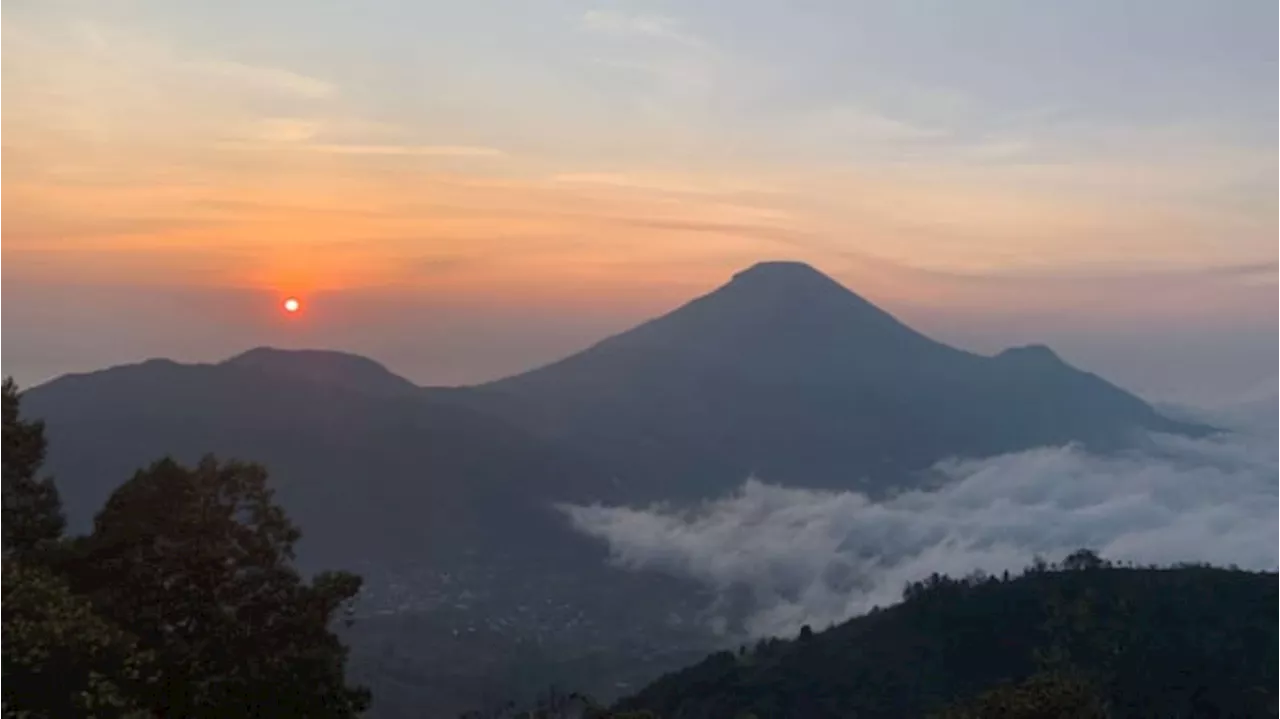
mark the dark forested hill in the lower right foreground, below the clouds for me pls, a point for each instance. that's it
(1188, 642)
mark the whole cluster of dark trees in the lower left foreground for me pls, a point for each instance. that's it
(181, 602)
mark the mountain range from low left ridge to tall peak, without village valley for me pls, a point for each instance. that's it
(783, 373)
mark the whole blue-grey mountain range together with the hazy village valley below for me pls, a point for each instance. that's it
(444, 498)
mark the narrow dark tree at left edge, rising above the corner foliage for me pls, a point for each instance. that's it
(31, 512)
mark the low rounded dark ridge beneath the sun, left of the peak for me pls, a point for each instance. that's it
(363, 460)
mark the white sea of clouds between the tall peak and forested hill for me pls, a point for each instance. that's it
(819, 557)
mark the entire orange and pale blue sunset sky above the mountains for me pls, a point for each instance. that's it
(467, 190)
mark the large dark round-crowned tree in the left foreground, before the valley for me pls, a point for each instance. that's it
(198, 565)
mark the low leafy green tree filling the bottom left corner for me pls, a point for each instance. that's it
(58, 658)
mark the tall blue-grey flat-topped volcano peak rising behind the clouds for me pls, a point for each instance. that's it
(790, 377)
